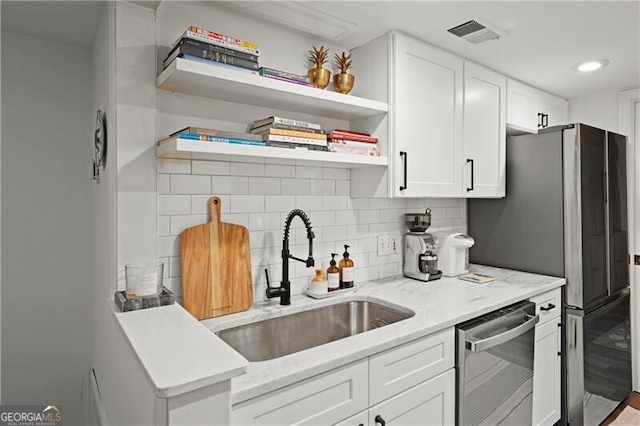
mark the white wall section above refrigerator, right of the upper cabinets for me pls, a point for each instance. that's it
(598, 110)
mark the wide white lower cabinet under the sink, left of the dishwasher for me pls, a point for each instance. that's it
(411, 384)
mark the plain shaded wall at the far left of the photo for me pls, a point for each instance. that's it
(46, 239)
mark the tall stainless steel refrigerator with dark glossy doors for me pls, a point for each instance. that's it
(565, 214)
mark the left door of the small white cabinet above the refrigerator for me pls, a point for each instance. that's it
(522, 107)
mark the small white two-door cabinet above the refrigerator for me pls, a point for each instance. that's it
(530, 109)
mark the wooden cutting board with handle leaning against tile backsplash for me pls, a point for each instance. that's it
(216, 267)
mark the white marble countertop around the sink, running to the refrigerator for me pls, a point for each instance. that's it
(437, 305)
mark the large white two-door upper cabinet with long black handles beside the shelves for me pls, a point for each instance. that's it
(446, 123)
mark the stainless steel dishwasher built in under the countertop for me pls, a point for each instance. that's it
(494, 367)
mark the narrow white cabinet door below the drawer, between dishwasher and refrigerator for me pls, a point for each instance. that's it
(546, 374)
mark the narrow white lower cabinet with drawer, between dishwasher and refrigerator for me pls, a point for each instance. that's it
(547, 360)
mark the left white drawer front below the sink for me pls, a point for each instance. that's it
(320, 400)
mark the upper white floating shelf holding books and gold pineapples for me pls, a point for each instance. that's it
(207, 80)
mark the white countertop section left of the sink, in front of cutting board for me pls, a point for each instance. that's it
(178, 353)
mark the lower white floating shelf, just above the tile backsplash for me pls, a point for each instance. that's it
(187, 148)
